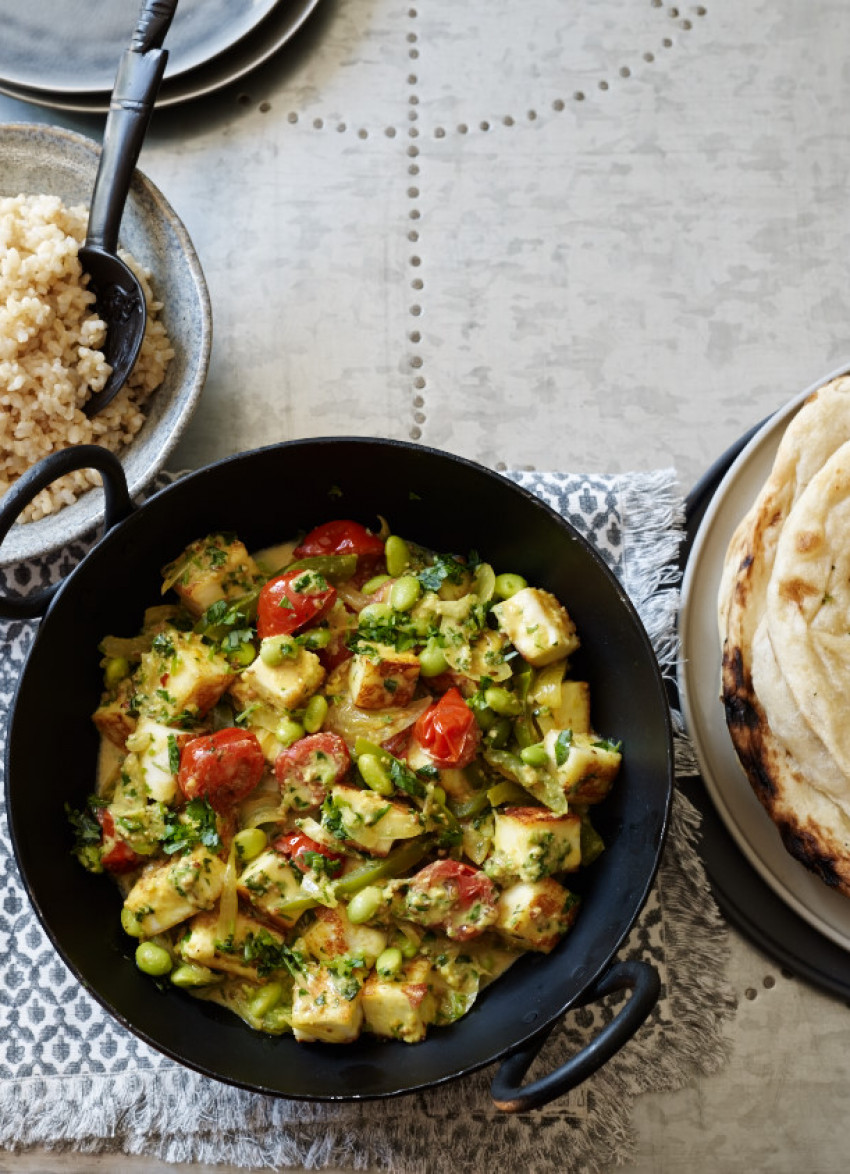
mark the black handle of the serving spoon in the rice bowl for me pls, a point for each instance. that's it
(131, 107)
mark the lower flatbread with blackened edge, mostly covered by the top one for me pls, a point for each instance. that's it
(813, 828)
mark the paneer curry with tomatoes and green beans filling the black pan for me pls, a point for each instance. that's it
(343, 782)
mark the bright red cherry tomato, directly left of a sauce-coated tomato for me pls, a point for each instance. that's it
(224, 767)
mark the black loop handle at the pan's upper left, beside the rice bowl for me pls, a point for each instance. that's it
(38, 478)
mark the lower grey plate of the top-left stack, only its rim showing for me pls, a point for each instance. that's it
(251, 51)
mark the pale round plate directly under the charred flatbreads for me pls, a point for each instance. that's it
(699, 686)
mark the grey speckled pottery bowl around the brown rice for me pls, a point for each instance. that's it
(51, 160)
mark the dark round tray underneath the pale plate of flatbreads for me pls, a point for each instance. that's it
(746, 901)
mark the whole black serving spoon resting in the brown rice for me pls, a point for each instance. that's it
(120, 301)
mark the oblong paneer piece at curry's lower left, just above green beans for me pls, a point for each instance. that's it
(170, 893)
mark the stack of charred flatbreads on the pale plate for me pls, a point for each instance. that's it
(785, 628)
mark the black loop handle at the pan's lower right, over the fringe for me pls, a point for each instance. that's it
(645, 984)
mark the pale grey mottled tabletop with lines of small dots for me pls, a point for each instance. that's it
(598, 237)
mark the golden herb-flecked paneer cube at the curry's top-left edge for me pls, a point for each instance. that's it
(214, 569)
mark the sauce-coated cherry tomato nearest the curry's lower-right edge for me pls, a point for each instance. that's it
(456, 898)
